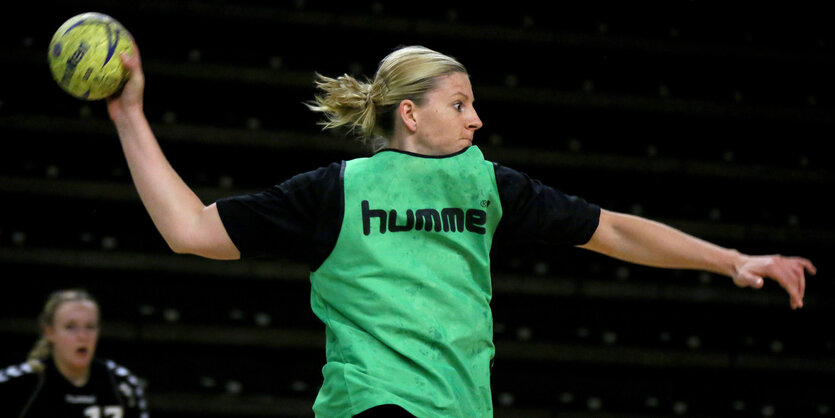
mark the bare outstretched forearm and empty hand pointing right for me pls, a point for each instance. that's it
(642, 241)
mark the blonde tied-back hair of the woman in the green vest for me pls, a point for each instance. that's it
(367, 108)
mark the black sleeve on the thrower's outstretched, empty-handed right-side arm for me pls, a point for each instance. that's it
(534, 212)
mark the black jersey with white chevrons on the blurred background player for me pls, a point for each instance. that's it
(110, 392)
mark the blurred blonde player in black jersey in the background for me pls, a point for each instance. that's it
(62, 377)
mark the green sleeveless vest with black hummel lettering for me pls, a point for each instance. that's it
(405, 294)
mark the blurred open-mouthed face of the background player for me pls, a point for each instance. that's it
(74, 333)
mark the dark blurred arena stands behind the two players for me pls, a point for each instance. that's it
(712, 119)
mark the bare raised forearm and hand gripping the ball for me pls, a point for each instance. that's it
(186, 224)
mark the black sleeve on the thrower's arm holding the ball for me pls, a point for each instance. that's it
(298, 219)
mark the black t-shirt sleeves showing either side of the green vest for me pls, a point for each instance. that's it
(301, 218)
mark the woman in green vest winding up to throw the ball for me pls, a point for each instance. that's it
(398, 243)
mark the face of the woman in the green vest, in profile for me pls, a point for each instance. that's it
(447, 120)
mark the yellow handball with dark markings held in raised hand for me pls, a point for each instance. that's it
(84, 56)
